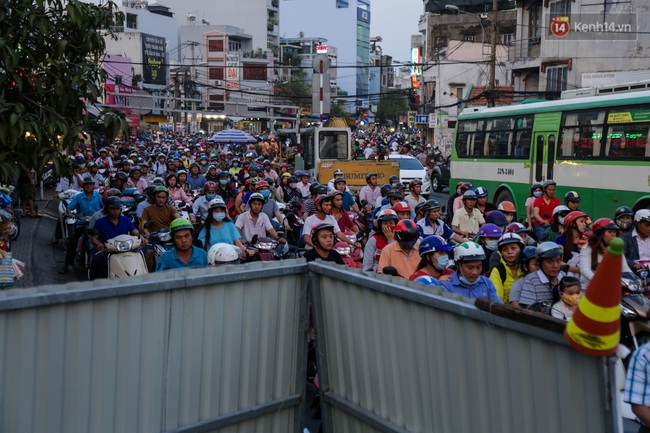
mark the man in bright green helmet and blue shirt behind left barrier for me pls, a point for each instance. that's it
(184, 254)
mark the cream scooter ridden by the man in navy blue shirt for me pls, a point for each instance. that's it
(124, 257)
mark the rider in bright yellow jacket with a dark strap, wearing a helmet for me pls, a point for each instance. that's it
(506, 270)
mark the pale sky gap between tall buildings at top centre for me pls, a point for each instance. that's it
(395, 21)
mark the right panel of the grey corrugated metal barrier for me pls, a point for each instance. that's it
(394, 358)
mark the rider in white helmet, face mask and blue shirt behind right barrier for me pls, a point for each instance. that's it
(467, 280)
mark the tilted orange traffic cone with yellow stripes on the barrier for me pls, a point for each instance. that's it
(595, 327)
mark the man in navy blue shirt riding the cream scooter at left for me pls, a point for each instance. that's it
(108, 227)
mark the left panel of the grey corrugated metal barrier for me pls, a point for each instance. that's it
(187, 351)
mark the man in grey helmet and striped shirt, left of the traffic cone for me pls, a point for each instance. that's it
(544, 285)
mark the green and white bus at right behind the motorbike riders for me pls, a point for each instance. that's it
(596, 145)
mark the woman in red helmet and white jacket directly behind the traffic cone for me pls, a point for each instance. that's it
(604, 231)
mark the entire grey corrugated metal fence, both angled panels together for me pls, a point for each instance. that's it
(223, 349)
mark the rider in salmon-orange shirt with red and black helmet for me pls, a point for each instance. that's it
(402, 254)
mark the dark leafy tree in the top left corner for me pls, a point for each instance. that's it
(50, 63)
